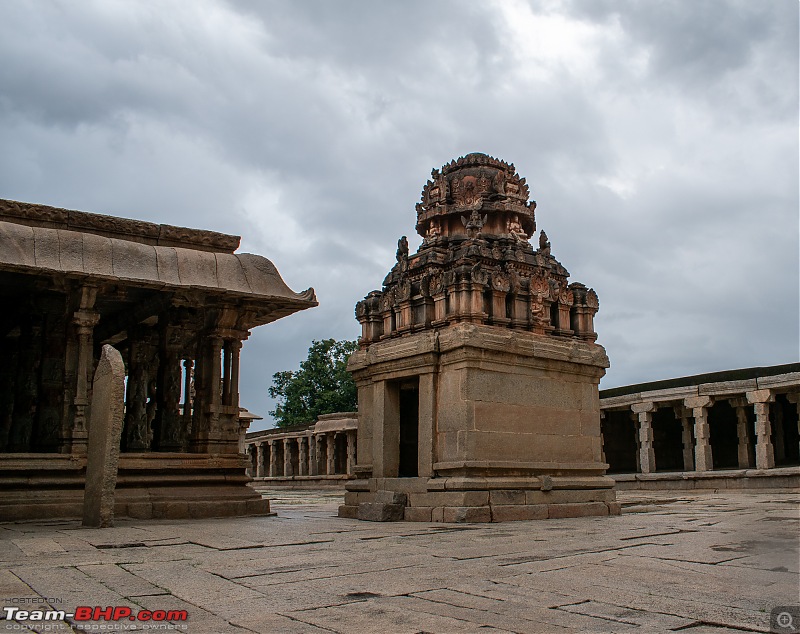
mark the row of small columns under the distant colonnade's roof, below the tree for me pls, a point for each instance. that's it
(308, 455)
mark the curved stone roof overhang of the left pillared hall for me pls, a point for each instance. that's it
(92, 256)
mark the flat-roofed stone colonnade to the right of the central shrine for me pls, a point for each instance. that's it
(747, 423)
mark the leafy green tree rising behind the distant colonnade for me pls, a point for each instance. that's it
(322, 385)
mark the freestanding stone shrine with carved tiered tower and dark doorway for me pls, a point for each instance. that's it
(478, 370)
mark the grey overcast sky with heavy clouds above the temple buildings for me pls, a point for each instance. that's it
(660, 141)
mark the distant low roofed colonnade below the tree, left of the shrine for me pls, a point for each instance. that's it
(327, 448)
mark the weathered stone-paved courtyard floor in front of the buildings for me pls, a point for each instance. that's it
(688, 561)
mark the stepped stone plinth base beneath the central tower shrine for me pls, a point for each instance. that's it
(472, 499)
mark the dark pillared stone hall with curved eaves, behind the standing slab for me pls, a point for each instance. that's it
(177, 303)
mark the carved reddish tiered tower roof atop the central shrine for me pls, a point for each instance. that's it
(476, 263)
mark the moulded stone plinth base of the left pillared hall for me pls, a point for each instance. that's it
(149, 486)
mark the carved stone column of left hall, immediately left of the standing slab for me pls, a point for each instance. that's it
(85, 319)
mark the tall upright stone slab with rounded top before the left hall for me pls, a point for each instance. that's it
(105, 431)
